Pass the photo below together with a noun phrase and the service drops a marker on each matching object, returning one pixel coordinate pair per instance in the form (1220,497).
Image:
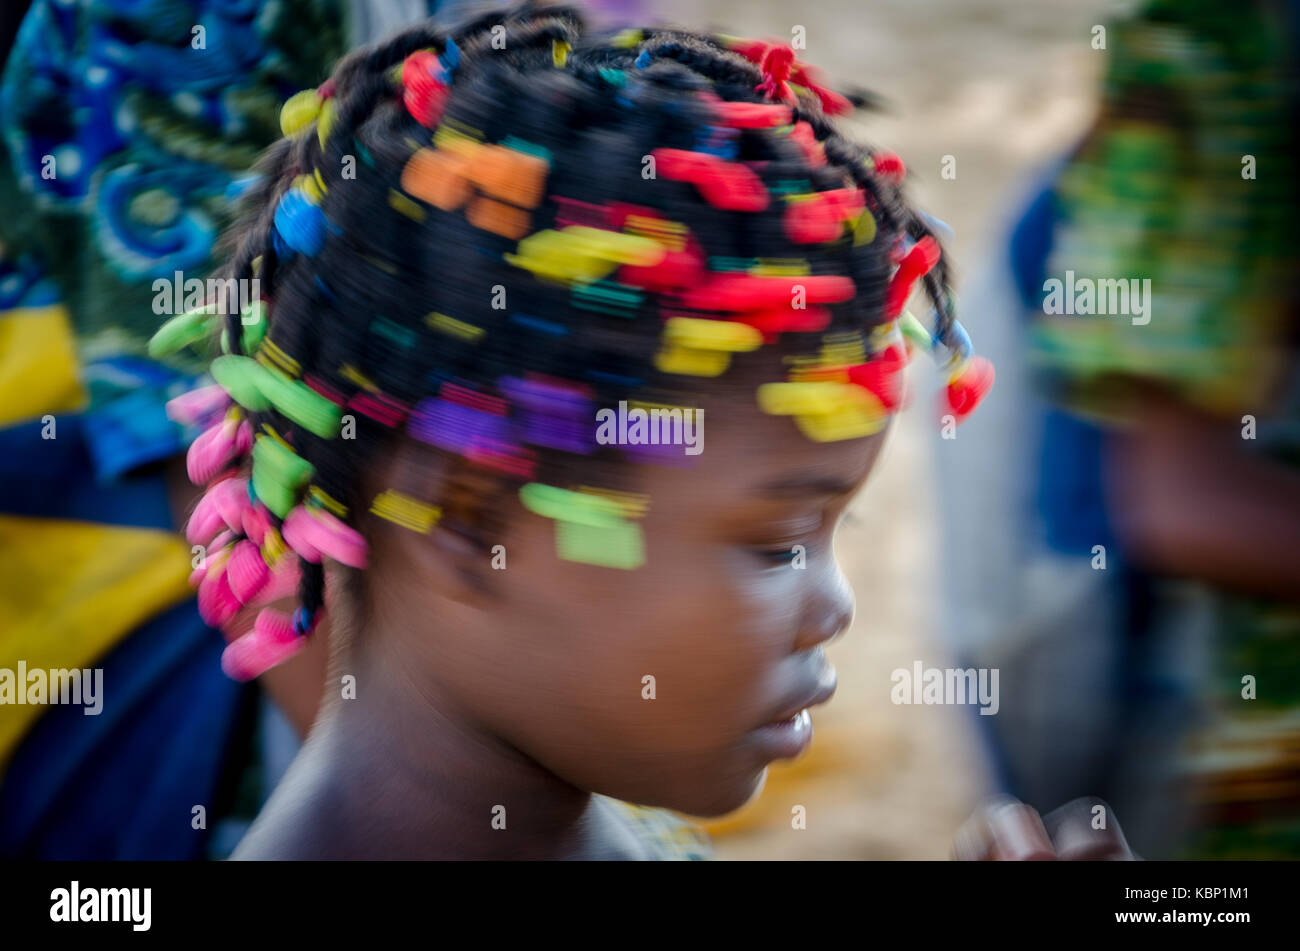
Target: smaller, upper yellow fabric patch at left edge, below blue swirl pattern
(38,364)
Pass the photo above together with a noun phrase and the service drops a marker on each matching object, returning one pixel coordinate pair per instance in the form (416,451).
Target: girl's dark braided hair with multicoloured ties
(400,235)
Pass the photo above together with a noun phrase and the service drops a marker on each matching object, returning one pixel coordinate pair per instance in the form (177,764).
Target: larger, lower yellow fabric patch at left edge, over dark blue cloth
(70,592)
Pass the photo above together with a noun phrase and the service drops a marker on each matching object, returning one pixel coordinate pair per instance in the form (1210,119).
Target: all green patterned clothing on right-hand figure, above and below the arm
(1189,180)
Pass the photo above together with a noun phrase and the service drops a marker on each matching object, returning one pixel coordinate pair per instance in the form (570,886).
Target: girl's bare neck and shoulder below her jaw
(397,774)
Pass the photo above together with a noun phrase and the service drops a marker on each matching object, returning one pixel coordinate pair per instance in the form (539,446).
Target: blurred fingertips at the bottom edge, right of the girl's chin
(1007,830)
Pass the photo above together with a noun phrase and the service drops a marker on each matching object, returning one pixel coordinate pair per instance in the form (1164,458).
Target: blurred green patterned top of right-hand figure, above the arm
(1188,181)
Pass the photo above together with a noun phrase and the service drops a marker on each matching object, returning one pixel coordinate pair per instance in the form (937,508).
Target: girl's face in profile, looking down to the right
(666,685)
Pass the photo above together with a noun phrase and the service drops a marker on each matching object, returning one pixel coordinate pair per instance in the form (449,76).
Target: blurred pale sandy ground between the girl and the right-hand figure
(1004,86)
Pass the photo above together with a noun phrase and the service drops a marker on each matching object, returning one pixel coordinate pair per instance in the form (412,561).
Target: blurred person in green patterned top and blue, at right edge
(1145,601)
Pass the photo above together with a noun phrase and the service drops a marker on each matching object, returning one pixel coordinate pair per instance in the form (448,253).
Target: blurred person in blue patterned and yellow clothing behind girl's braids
(128,131)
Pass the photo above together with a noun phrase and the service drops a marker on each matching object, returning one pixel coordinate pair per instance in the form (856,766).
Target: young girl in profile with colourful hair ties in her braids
(573,351)
